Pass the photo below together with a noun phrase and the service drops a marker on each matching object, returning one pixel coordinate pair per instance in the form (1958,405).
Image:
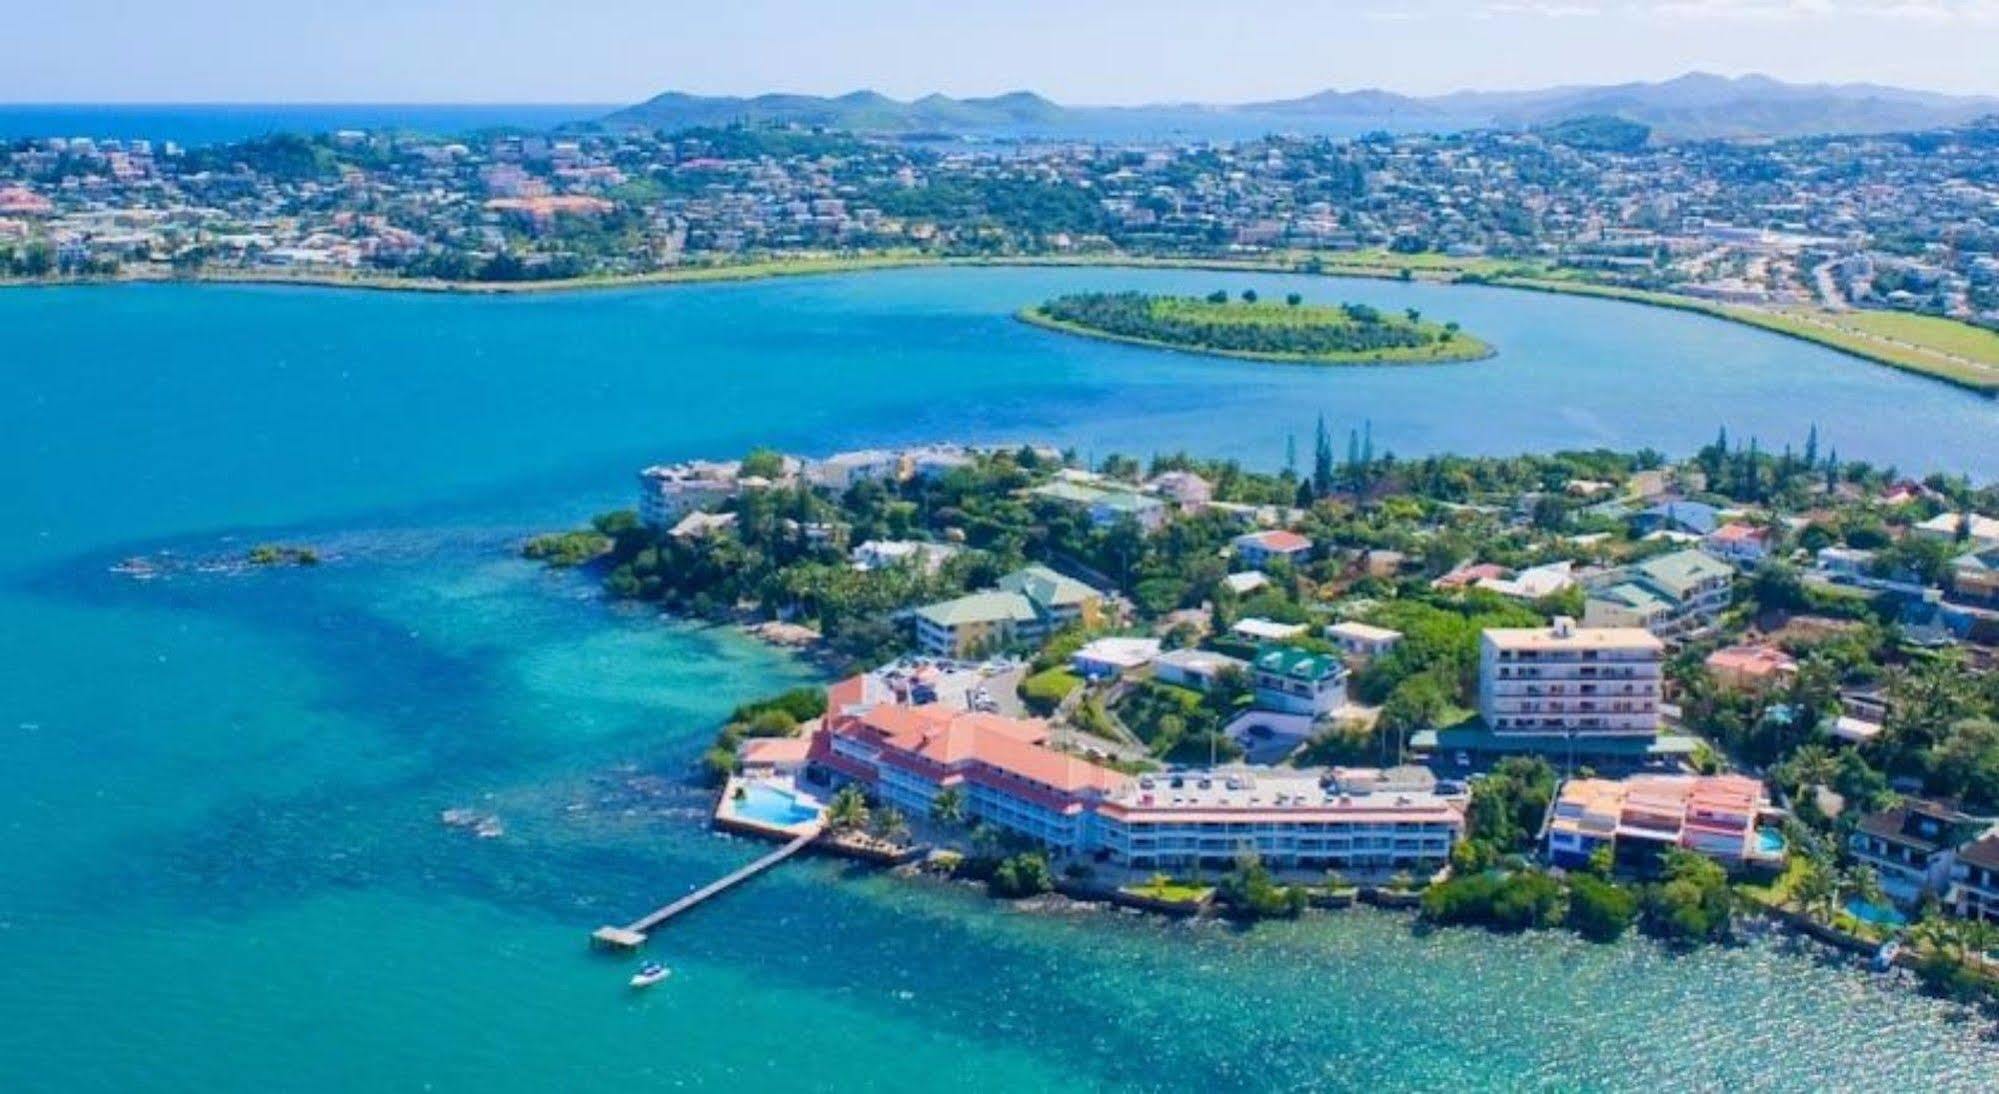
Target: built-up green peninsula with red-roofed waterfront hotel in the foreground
(1434,685)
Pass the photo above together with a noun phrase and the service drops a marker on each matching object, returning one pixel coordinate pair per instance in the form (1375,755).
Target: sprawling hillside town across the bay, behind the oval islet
(1892,221)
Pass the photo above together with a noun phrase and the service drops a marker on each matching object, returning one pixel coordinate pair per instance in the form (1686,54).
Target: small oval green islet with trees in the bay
(1246,327)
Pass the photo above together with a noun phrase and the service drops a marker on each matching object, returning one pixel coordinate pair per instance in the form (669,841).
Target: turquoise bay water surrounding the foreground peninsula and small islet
(225,867)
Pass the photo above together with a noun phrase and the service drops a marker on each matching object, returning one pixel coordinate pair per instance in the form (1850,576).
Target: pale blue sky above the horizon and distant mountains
(1074,51)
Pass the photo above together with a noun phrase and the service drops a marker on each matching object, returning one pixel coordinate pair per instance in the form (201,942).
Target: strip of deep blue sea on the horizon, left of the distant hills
(217,123)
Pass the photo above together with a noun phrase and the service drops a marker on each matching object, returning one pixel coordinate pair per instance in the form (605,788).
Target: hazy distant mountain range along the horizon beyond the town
(1684,109)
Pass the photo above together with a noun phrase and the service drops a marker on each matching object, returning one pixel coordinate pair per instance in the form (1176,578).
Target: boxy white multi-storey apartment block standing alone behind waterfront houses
(1570,683)
